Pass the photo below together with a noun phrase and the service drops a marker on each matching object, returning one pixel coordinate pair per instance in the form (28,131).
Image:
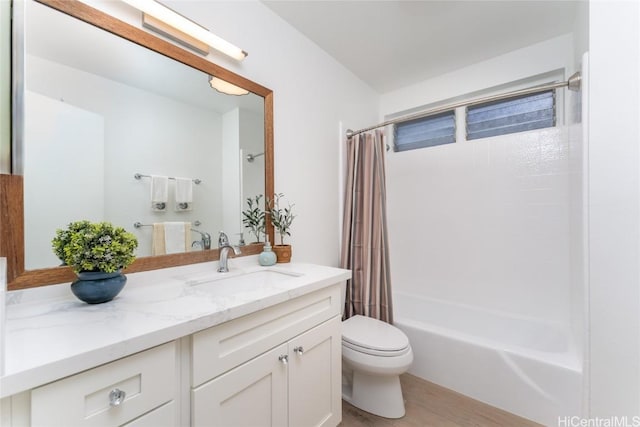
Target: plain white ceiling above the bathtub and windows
(392,44)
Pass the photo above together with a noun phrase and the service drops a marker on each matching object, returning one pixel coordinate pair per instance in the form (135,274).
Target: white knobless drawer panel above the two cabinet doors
(221,348)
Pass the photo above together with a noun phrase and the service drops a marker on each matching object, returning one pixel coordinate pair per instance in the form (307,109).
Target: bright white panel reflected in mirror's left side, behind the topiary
(64,172)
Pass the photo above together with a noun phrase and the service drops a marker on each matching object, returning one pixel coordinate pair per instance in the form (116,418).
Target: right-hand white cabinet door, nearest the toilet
(315,375)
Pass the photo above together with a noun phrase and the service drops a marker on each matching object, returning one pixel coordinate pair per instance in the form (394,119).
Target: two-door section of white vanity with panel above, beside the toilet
(280,366)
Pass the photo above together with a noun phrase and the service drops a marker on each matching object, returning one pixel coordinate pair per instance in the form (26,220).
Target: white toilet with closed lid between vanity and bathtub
(374,354)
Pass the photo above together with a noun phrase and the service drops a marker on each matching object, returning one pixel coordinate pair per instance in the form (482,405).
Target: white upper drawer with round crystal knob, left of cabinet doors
(148,379)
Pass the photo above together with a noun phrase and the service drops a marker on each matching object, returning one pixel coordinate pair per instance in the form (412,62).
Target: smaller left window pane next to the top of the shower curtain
(425,132)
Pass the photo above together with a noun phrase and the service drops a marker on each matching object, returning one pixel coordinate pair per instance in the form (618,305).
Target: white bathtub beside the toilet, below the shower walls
(525,367)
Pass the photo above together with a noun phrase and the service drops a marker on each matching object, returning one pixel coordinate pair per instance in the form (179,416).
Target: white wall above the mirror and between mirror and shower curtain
(312,94)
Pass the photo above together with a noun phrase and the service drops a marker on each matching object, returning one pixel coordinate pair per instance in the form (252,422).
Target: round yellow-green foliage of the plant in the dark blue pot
(87,246)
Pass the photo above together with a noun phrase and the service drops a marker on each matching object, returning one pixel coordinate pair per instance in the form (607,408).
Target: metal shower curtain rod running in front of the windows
(573,83)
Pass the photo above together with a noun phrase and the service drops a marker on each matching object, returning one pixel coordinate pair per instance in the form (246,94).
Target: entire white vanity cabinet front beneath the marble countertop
(276,363)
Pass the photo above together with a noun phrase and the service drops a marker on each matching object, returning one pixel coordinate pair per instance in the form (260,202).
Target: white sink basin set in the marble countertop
(229,283)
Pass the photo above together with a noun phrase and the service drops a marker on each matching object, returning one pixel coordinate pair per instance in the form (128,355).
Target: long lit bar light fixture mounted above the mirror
(183,25)
